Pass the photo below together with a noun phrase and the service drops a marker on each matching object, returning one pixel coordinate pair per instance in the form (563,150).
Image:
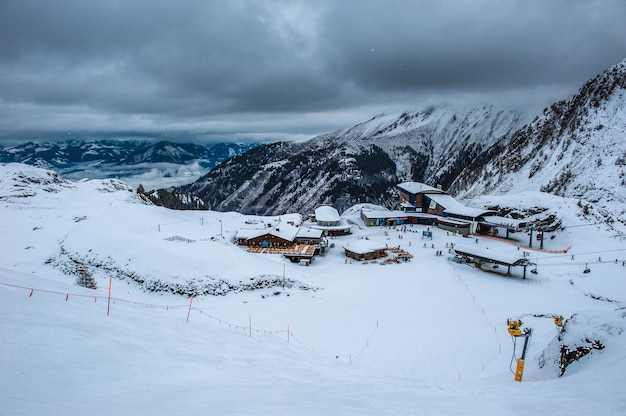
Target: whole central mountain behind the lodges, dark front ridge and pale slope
(362,163)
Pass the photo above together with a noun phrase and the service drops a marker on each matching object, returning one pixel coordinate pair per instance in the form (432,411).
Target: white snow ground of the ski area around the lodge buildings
(424,337)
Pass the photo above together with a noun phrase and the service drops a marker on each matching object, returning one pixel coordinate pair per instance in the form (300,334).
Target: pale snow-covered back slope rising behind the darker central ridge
(444,139)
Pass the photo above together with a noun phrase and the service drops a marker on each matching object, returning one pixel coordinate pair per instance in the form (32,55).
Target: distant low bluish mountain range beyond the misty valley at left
(153,164)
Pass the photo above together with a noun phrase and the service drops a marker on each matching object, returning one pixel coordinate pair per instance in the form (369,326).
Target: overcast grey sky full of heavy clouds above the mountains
(272,69)
